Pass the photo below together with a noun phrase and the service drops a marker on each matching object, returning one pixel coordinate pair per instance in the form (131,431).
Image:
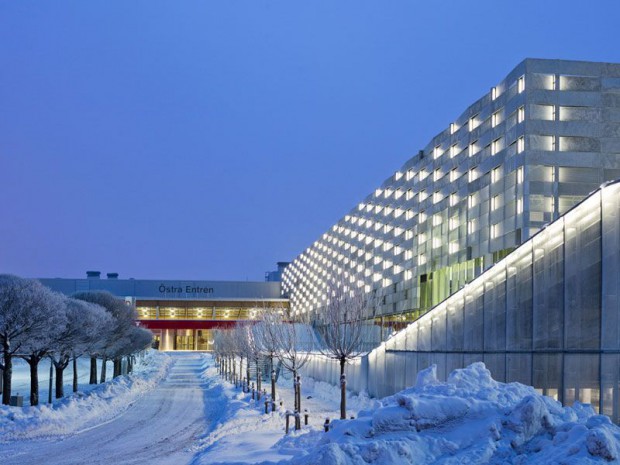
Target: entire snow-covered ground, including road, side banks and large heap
(175,410)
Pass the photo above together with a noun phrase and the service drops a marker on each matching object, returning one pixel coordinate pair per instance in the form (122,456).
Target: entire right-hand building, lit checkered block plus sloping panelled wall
(496,243)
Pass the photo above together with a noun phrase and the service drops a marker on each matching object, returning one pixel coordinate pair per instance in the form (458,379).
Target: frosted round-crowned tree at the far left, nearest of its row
(28,311)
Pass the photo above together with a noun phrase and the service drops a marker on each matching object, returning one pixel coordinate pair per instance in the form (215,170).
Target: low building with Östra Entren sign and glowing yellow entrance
(182,314)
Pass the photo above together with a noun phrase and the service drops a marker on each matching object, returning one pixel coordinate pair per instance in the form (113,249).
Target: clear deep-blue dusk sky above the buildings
(211,139)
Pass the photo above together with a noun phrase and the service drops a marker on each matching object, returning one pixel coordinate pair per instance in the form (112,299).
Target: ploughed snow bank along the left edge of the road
(81,411)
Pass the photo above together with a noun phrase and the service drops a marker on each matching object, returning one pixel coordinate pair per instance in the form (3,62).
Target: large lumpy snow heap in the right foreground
(470,419)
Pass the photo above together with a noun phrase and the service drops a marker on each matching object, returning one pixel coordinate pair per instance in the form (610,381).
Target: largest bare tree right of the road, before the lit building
(342,323)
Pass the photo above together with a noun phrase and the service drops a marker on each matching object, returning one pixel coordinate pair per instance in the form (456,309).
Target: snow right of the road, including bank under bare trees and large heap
(470,419)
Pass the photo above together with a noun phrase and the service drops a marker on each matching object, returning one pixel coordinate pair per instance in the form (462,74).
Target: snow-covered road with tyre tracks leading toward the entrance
(157,429)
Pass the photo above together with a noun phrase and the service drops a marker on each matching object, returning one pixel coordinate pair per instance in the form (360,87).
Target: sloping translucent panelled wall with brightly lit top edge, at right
(547,315)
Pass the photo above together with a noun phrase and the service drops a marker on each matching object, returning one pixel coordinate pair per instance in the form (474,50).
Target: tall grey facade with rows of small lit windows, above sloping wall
(519,157)
